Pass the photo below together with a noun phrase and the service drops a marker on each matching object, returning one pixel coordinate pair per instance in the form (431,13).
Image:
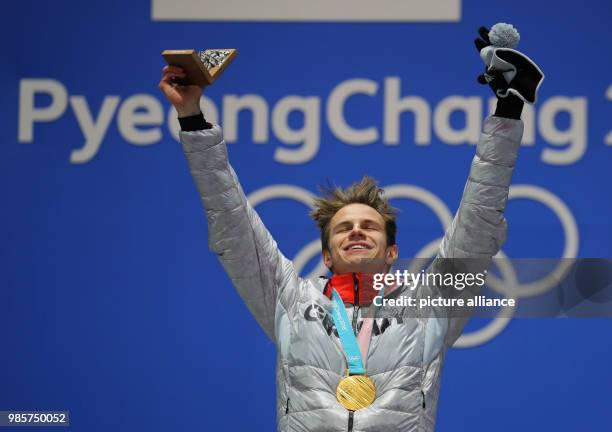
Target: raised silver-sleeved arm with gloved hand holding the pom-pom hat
(479,227)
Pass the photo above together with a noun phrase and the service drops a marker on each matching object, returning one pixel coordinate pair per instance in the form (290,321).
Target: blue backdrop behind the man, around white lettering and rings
(111,305)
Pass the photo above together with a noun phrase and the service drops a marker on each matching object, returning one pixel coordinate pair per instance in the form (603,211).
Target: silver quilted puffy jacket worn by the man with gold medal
(406,355)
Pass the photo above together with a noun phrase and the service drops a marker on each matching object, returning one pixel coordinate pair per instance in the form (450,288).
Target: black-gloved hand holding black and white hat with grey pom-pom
(507,71)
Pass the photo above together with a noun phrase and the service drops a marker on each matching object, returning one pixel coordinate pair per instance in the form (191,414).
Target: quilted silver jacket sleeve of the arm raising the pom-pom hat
(479,227)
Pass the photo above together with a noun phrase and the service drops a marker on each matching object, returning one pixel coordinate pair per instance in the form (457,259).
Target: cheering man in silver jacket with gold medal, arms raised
(316,323)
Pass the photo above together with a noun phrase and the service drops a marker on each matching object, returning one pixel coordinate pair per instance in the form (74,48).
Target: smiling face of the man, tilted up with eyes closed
(356,236)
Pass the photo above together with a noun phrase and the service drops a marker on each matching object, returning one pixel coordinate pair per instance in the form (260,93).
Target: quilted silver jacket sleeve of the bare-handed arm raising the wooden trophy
(247,251)
